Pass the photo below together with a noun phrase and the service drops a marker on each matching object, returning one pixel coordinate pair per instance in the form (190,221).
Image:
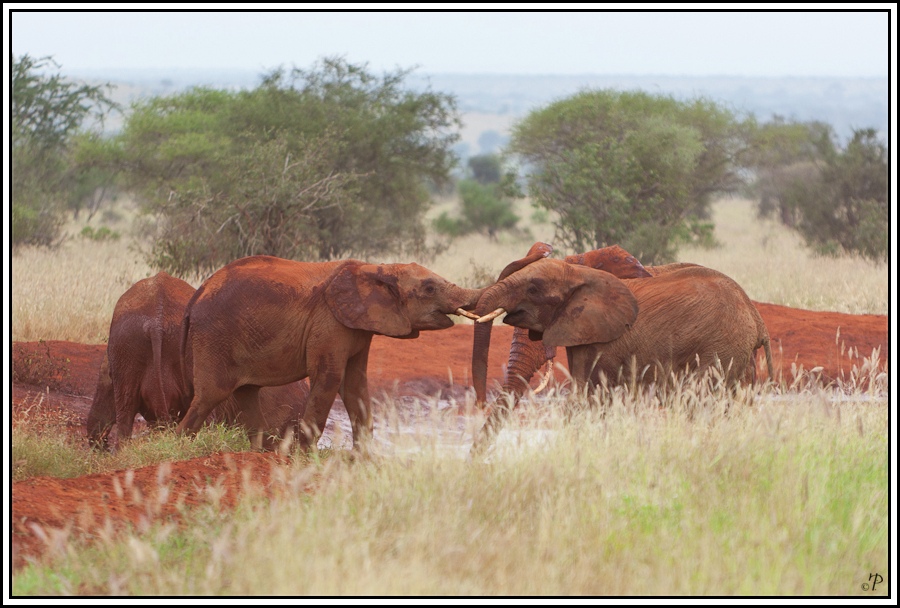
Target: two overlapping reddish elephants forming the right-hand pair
(645,322)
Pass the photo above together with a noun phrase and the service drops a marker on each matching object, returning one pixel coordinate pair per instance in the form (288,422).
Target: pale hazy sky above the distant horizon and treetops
(688,43)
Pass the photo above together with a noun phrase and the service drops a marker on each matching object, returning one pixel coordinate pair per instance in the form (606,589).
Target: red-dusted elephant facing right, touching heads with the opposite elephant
(264,321)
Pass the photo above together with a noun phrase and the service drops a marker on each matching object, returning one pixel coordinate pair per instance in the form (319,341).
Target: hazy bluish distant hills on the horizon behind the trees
(492,103)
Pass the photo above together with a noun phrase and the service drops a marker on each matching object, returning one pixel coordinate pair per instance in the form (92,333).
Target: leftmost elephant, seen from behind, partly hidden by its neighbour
(141,372)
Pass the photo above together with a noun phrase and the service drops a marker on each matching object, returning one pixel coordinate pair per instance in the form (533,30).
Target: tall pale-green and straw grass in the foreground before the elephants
(772,499)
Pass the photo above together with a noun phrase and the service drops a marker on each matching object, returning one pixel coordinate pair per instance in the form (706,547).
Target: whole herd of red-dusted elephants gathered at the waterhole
(268,343)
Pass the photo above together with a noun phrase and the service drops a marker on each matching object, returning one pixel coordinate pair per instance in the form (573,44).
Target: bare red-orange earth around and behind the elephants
(436,363)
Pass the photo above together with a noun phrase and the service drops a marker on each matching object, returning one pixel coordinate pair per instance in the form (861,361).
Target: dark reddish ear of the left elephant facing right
(365,296)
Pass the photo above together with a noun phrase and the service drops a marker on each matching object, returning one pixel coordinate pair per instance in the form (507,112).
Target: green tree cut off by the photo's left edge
(48,113)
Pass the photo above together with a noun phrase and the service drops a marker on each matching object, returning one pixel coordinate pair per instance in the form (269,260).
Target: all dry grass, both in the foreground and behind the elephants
(704,496)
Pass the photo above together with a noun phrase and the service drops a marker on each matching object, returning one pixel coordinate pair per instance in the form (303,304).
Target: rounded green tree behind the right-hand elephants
(628,168)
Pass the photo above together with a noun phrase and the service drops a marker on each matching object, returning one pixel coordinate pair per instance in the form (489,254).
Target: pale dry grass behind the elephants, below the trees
(70,294)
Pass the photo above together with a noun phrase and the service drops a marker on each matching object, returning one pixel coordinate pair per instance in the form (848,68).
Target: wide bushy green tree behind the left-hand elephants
(323,163)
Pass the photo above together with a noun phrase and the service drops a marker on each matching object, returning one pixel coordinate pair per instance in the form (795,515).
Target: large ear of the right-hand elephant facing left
(600,309)
